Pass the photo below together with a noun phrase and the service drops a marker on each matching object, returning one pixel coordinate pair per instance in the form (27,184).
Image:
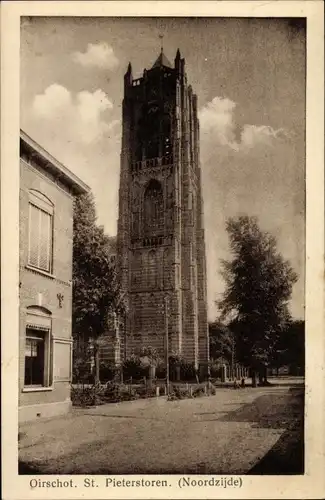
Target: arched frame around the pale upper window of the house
(43,204)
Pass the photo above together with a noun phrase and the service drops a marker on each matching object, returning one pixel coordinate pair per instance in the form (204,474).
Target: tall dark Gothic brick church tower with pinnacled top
(160,245)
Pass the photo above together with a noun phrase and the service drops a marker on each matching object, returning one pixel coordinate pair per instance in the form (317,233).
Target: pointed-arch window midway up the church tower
(153,209)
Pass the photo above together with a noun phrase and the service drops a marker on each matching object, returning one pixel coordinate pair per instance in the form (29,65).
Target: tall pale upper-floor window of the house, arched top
(40,232)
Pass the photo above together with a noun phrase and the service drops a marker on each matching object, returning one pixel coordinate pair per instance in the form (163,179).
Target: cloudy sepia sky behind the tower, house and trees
(249,75)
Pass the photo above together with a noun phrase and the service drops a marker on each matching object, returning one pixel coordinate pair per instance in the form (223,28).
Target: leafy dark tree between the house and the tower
(96,291)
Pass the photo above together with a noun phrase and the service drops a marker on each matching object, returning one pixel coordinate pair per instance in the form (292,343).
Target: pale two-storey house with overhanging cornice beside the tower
(46,195)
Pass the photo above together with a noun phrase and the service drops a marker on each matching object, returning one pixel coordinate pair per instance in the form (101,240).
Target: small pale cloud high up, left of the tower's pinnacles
(99,55)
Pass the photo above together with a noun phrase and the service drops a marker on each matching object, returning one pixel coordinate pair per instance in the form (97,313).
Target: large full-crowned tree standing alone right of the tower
(258,288)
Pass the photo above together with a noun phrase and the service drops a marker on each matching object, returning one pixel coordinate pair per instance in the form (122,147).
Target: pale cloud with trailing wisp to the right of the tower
(218,125)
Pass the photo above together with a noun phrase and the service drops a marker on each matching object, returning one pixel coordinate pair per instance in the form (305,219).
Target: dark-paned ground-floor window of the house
(36,357)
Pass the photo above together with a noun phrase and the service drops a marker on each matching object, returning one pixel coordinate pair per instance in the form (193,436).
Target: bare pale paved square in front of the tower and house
(227,433)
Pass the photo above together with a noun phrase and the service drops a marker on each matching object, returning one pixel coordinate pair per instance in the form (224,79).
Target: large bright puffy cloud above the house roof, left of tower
(77,116)
